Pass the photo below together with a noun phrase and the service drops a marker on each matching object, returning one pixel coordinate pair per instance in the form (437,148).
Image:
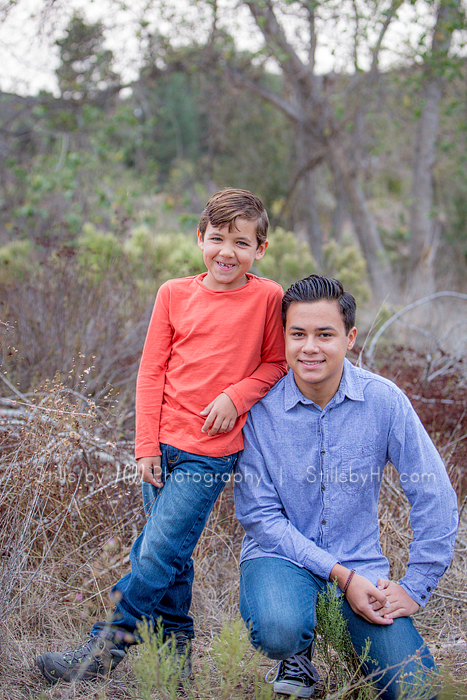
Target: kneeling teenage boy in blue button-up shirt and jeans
(306,492)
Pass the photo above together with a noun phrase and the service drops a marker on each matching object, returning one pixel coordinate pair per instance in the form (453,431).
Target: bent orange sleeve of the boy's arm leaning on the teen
(273,366)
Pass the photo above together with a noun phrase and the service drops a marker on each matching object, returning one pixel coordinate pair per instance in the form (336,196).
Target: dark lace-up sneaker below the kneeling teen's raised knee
(296,675)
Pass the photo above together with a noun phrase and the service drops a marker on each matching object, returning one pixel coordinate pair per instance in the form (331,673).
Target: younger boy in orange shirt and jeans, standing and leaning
(214,347)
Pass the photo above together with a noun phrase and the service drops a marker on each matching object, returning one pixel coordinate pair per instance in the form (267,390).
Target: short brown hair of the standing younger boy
(229,204)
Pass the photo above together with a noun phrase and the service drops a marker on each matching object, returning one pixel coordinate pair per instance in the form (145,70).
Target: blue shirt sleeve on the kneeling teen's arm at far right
(433,515)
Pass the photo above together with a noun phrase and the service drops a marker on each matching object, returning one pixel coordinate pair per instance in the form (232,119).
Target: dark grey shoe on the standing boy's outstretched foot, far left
(94,658)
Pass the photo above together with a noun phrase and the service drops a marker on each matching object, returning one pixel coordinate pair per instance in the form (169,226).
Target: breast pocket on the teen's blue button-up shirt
(360,470)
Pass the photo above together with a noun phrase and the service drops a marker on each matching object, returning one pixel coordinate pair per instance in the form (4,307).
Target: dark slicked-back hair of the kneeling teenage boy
(315,288)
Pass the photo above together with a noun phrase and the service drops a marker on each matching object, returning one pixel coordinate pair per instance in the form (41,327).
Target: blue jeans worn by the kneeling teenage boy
(278,604)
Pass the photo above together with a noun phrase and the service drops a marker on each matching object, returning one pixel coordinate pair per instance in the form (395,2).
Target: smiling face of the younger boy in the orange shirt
(228,255)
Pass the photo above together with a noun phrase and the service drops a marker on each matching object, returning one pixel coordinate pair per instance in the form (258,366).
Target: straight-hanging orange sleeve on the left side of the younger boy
(151,378)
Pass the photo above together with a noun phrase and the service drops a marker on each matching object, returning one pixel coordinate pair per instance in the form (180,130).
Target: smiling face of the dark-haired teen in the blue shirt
(315,346)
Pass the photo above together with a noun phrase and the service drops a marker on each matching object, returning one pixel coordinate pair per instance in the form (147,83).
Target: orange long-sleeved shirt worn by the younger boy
(200,343)
